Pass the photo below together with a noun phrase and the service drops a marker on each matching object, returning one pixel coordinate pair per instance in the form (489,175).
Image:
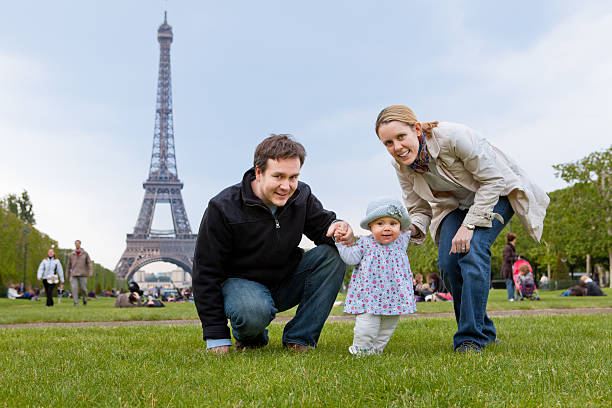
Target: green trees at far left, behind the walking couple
(23,247)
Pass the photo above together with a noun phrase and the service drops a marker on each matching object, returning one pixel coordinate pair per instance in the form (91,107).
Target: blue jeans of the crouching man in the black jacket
(313,286)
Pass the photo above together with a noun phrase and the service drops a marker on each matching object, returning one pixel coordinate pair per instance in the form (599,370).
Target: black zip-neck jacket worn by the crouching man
(239,237)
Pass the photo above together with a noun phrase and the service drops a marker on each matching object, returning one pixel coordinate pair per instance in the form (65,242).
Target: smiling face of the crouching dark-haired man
(278,182)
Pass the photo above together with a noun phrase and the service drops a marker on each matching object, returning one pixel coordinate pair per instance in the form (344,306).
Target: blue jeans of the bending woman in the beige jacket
(468,275)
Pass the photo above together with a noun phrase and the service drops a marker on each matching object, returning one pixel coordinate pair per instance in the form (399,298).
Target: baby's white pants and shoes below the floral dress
(372,333)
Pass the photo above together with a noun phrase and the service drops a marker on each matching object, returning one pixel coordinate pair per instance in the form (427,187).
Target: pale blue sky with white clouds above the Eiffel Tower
(78,81)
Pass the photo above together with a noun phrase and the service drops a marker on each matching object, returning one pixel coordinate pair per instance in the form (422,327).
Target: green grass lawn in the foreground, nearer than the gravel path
(545,361)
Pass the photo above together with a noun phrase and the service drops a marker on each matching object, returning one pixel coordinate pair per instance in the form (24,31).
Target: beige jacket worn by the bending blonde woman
(466,158)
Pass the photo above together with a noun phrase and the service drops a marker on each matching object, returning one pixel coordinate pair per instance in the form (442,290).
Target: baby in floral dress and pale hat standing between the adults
(380,290)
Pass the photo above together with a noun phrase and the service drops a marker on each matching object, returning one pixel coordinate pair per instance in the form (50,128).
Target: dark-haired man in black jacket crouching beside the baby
(248,265)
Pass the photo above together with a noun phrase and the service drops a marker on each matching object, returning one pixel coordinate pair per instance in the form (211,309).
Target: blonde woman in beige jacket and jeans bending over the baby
(454,182)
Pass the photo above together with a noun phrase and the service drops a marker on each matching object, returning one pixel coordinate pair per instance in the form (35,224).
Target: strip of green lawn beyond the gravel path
(23,311)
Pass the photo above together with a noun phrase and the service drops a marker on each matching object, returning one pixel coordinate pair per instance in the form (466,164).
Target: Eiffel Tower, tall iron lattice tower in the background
(147,245)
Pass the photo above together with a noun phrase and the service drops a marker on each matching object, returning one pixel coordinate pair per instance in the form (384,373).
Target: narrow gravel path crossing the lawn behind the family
(282,319)
